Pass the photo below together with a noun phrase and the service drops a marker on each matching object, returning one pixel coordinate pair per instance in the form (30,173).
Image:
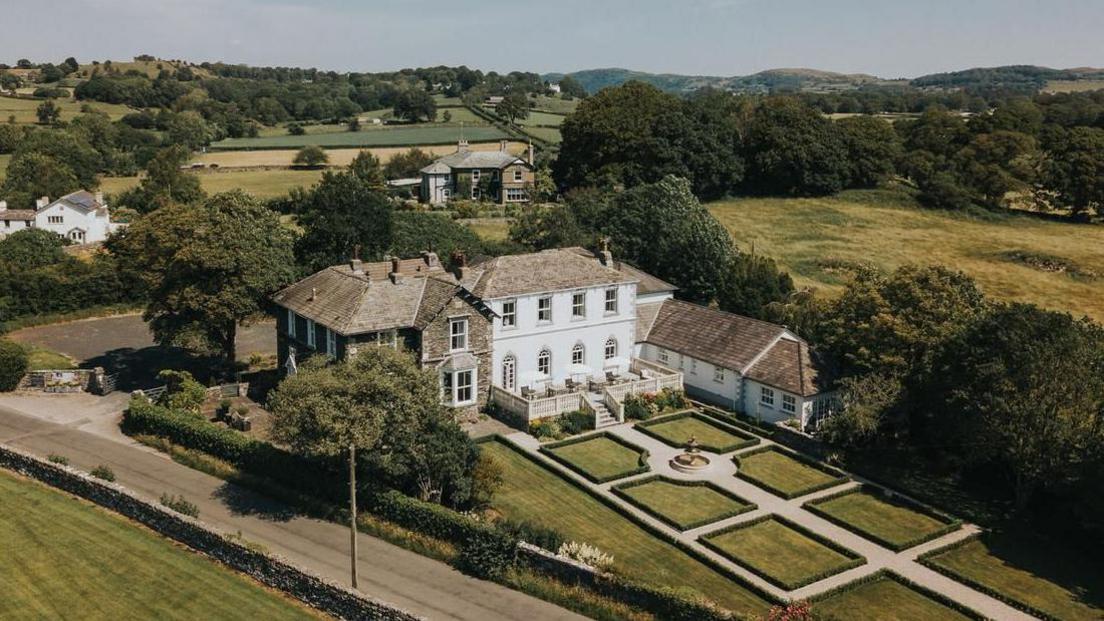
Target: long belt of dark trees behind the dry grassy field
(1047,152)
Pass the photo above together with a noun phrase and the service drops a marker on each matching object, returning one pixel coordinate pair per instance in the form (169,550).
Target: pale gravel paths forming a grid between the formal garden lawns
(723,473)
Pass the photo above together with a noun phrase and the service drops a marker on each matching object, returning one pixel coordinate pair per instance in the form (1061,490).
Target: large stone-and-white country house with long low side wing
(551,332)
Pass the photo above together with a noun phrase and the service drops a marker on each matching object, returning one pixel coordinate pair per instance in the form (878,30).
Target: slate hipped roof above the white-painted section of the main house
(546,271)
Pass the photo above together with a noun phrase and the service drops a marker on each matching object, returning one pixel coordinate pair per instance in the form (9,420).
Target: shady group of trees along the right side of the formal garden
(933,373)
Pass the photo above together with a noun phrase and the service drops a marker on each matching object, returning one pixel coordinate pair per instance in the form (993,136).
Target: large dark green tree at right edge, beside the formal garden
(1023,388)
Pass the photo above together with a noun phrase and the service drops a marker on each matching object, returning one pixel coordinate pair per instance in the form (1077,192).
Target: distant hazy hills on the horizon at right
(1020,78)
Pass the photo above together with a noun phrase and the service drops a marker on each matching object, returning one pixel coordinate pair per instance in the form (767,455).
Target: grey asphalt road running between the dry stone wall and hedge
(84,430)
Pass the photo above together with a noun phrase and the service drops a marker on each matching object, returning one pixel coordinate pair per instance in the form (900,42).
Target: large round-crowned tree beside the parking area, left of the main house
(209,268)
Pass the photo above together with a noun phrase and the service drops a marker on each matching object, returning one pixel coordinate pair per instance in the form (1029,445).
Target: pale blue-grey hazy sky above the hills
(886,38)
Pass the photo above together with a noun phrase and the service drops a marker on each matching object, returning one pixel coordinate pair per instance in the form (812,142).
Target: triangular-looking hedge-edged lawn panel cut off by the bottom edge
(885,601)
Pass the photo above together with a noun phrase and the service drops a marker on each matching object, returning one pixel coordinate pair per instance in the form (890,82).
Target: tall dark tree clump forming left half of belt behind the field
(723,144)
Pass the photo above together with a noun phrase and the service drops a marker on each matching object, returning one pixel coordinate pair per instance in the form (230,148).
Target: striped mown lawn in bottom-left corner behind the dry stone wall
(65,559)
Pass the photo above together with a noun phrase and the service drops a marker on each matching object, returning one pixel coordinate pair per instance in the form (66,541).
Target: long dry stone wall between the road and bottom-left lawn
(269,570)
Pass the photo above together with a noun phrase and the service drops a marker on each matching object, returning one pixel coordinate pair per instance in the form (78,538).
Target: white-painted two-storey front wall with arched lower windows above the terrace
(559,338)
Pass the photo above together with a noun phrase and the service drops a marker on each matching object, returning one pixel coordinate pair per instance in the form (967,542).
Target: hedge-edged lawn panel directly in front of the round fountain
(682,504)
